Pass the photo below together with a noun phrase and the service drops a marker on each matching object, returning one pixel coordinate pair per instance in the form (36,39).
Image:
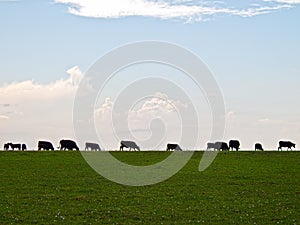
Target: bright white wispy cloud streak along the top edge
(187,10)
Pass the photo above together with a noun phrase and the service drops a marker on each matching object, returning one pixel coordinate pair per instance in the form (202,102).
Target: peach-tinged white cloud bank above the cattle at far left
(32,110)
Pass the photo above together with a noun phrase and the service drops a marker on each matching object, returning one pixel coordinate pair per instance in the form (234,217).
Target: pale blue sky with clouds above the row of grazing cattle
(252,49)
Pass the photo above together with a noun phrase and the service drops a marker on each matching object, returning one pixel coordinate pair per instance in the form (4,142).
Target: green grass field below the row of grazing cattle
(238,188)
